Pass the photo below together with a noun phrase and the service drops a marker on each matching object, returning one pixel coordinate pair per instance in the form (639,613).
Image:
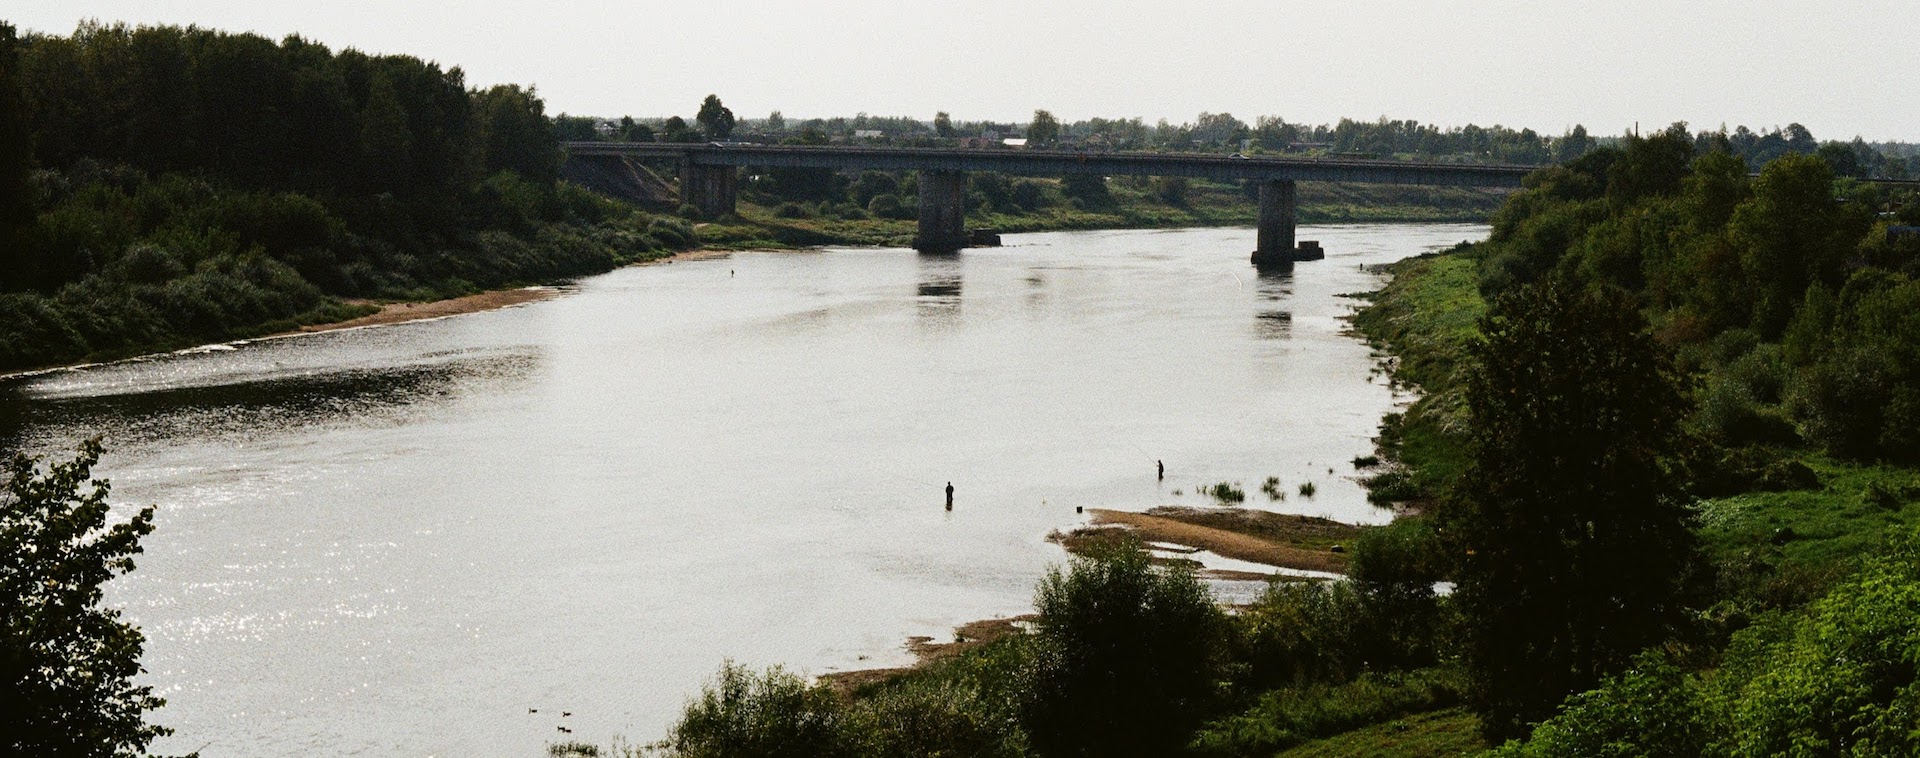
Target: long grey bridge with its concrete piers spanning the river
(709,178)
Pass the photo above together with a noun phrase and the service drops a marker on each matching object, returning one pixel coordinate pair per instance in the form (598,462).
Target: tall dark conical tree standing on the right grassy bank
(1575,546)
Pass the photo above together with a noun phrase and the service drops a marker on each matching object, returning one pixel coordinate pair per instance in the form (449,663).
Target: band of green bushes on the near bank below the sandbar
(1126,659)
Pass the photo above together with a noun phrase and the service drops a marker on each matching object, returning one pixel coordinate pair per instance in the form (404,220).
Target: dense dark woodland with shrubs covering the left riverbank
(168,185)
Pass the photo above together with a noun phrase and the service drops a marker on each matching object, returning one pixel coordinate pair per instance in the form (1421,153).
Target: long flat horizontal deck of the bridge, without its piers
(1065,162)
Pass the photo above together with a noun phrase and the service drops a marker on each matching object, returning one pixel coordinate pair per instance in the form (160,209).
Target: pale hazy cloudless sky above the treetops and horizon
(1838,68)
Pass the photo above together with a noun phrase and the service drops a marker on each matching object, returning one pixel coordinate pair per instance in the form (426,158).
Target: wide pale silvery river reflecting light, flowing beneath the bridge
(404,540)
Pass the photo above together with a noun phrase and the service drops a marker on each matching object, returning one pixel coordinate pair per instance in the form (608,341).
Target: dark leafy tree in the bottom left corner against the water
(68,663)
